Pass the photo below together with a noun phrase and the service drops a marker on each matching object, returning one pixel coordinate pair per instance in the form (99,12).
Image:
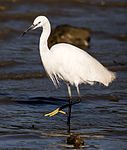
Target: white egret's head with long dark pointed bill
(38,22)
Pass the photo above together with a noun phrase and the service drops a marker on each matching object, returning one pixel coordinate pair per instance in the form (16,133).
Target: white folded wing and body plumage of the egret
(77,66)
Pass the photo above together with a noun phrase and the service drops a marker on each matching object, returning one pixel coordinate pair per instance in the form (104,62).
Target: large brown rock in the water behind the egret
(79,37)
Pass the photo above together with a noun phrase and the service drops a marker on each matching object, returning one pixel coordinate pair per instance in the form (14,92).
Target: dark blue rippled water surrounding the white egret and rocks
(101,118)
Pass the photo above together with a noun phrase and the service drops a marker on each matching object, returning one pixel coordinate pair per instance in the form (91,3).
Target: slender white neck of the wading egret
(44,36)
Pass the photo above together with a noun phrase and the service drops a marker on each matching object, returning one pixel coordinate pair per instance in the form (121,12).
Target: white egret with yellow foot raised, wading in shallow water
(68,63)
